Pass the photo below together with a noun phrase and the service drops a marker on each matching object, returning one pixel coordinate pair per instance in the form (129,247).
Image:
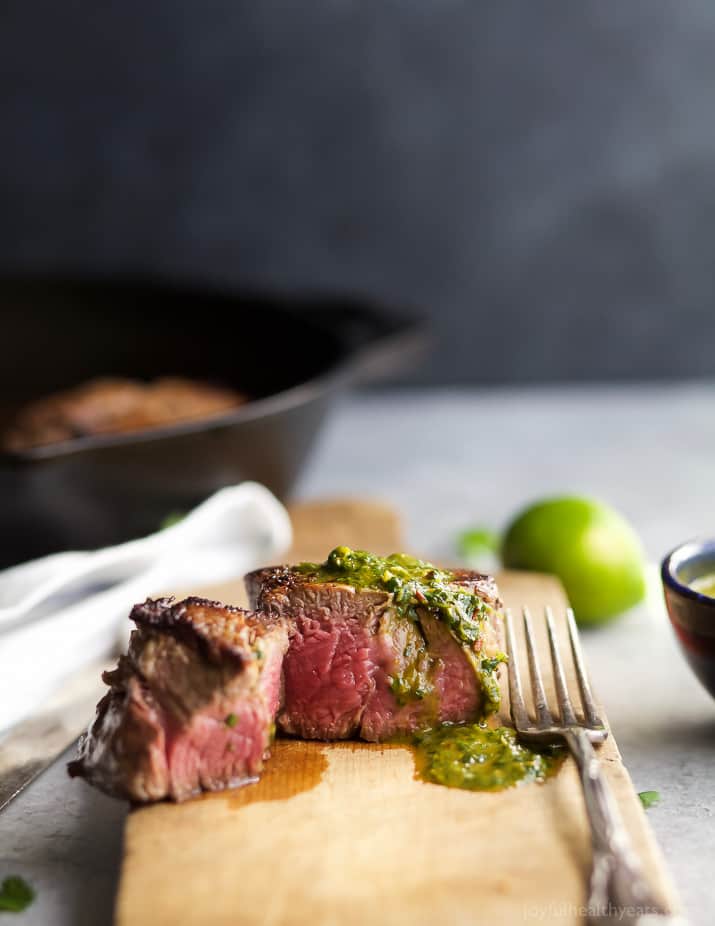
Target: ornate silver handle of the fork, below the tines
(618,890)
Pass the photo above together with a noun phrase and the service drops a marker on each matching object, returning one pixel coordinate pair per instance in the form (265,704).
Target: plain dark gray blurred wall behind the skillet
(537,176)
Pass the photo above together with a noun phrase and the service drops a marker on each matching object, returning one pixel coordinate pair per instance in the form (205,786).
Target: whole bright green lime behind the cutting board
(588,545)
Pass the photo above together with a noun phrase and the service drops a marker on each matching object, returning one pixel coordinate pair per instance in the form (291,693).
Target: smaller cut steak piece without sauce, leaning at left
(191,706)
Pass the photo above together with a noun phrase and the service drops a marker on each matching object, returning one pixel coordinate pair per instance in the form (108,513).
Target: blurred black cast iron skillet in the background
(292,356)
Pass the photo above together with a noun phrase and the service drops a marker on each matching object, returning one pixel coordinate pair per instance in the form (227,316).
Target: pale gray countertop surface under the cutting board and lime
(449,460)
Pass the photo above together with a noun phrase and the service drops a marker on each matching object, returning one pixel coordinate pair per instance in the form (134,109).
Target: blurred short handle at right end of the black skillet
(375,344)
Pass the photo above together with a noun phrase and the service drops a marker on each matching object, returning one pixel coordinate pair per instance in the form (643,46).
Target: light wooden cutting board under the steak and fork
(345,833)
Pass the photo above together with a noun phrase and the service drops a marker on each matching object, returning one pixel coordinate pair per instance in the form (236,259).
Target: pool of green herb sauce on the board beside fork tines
(481,758)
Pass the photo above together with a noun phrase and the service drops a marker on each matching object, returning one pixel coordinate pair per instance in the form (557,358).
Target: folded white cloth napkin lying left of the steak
(54,621)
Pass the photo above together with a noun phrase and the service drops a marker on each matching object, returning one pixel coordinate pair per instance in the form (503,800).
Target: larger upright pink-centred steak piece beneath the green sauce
(356,666)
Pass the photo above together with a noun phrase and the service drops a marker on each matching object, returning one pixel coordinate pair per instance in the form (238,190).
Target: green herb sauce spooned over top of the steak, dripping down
(418,586)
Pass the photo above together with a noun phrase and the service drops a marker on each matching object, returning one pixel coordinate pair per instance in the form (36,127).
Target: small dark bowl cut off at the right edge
(692,614)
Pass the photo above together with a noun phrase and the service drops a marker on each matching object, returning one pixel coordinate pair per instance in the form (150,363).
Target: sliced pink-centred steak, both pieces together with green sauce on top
(356,646)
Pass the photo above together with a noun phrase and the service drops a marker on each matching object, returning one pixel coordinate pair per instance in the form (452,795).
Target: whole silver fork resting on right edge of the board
(618,888)
